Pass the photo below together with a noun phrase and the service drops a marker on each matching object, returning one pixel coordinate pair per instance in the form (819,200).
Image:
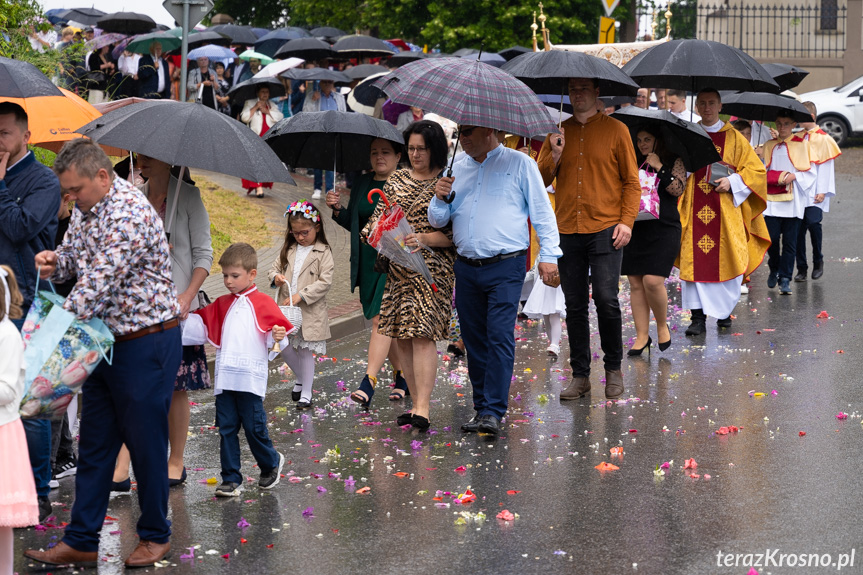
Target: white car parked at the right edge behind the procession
(840,109)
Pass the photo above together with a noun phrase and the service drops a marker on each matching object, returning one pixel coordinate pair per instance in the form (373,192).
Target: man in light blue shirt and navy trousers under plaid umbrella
(496,190)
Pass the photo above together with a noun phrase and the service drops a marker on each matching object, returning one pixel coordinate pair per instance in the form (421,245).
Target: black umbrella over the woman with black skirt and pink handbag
(684,139)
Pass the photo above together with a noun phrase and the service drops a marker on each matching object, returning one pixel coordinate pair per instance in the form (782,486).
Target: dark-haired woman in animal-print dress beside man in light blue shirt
(411,311)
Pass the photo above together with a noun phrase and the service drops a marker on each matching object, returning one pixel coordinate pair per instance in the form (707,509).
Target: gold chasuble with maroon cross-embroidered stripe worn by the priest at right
(720,241)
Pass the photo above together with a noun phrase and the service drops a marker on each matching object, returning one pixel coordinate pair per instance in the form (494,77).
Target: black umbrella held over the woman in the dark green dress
(330,140)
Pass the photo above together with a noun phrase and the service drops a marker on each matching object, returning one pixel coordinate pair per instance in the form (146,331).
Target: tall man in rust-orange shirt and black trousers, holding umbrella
(597,198)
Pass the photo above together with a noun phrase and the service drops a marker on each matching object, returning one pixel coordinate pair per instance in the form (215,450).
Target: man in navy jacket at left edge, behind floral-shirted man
(29,202)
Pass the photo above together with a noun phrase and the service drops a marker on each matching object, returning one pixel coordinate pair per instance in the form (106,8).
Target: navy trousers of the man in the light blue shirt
(487,303)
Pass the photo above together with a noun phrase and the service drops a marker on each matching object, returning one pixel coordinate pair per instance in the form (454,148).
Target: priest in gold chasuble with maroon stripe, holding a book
(724,235)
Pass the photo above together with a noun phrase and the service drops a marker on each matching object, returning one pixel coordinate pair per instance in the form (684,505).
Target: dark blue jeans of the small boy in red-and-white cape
(236,408)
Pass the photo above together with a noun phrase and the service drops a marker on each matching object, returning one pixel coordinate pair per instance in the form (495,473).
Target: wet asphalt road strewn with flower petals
(778,373)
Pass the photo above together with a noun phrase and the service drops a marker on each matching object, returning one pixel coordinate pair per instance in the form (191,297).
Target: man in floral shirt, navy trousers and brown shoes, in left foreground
(116,247)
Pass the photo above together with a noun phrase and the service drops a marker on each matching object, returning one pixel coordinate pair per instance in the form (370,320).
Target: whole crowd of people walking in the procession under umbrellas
(565,213)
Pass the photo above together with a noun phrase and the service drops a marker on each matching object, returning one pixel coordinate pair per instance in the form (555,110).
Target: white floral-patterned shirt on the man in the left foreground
(119,253)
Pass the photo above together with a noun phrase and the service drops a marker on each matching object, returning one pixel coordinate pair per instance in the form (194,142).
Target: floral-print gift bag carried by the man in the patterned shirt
(61,352)
